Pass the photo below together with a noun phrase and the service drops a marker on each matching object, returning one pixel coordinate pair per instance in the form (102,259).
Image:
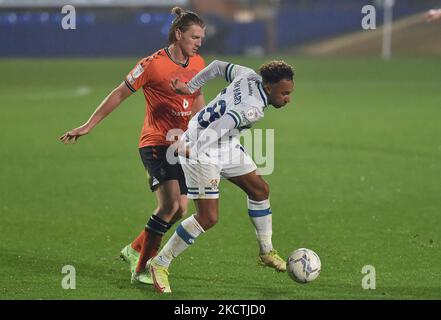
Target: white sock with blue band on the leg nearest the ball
(262,218)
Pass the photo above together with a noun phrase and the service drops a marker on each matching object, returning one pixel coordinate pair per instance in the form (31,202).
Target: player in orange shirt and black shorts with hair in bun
(165,110)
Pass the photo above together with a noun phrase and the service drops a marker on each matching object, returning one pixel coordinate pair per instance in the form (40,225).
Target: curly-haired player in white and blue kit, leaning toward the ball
(213,133)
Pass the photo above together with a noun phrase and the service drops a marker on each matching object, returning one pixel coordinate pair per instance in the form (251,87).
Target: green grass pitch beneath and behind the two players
(357,179)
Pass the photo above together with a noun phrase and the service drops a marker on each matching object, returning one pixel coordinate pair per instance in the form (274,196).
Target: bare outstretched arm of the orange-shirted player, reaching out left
(110,103)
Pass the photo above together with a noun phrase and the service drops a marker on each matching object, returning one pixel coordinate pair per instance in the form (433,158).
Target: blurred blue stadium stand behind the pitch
(134,27)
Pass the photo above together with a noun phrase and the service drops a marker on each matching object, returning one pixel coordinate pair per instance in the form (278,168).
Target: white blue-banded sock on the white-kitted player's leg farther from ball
(184,236)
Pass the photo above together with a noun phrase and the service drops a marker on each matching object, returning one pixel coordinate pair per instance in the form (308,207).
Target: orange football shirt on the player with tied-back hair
(165,109)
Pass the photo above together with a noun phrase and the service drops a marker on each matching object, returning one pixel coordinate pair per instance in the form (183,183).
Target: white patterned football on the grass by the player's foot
(303,265)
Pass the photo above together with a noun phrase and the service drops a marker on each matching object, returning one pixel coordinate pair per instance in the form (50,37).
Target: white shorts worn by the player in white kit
(226,160)
